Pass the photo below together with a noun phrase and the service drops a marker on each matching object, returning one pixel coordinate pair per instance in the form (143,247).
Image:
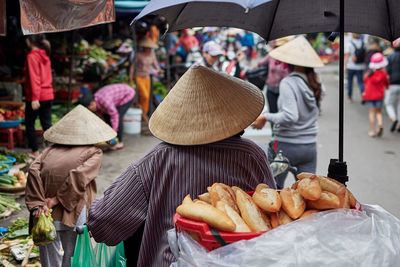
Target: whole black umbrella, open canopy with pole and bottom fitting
(272,19)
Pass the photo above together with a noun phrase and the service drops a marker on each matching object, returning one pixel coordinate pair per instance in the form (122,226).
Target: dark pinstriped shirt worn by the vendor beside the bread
(151,189)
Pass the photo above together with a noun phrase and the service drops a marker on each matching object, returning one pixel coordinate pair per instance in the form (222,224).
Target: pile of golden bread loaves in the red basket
(231,209)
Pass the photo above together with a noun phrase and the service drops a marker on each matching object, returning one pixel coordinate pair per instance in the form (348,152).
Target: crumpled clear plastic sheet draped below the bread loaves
(333,238)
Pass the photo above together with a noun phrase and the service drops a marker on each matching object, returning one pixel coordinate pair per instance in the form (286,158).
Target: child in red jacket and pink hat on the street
(376,80)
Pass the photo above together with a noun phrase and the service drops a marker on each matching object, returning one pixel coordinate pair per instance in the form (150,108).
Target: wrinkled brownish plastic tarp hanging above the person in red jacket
(38,16)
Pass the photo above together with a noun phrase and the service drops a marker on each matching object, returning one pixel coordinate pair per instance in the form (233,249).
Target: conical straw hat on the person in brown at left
(80,126)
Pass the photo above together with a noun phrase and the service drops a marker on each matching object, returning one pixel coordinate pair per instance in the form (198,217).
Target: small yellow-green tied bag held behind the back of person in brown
(44,232)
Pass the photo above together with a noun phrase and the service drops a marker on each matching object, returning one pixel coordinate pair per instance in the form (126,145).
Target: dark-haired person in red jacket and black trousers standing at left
(39,93)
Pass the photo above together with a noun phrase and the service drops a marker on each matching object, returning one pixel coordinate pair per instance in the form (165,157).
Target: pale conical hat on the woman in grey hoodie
(297,52)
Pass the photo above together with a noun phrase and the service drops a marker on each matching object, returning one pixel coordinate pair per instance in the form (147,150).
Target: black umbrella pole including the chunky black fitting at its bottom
(337,167)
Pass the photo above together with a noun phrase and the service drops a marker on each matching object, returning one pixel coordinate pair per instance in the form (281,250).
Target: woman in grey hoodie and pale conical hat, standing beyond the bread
(295,124)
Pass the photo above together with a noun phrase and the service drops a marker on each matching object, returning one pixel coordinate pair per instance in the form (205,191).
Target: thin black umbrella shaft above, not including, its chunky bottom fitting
(341,82)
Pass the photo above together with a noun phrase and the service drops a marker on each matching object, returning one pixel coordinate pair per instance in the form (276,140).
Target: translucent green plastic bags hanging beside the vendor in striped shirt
(99,256)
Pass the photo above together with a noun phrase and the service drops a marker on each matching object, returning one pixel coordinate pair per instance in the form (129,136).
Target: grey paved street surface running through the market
(374,164)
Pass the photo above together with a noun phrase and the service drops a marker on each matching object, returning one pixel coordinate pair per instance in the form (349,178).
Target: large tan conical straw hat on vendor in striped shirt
(206,106)
